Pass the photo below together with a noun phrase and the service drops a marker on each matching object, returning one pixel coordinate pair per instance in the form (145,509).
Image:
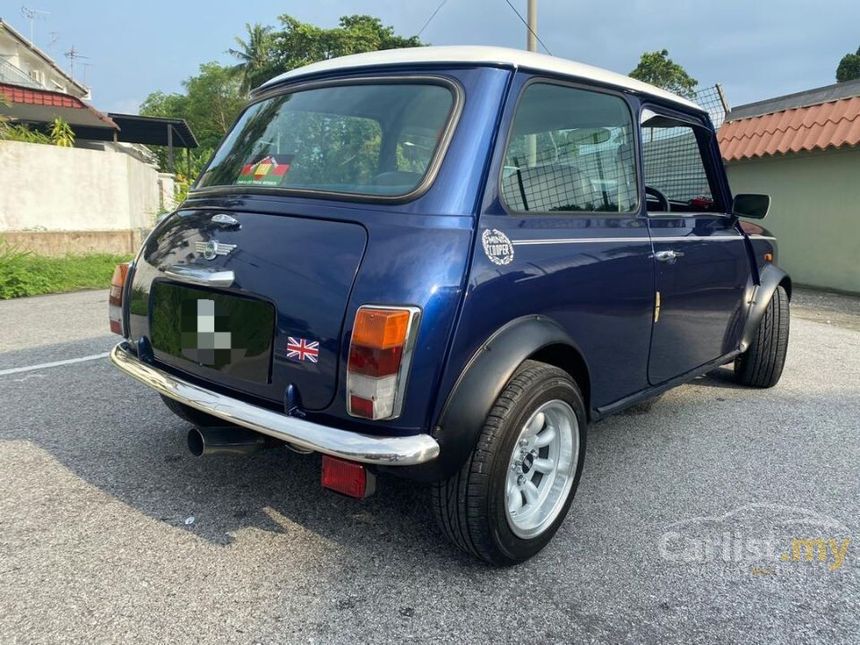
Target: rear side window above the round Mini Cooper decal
(570,150)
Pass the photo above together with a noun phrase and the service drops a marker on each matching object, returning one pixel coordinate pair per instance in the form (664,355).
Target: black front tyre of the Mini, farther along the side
(761,364)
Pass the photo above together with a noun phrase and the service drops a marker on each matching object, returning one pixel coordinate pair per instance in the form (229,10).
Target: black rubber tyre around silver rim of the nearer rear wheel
(470,506)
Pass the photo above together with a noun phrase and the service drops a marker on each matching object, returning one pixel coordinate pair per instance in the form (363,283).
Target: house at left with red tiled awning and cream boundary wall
(101,194)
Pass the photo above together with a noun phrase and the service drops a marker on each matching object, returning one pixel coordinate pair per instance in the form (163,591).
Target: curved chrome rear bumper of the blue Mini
(390,451)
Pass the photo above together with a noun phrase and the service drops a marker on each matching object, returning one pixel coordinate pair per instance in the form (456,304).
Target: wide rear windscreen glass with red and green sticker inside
(370,139)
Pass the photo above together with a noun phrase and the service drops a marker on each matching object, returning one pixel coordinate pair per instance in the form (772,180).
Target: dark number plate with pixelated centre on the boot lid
(230,334)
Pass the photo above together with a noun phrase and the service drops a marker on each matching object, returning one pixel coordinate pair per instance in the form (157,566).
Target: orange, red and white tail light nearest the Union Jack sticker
(379,357)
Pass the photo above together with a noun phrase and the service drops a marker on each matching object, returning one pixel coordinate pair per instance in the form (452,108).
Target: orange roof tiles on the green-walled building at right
(826,125)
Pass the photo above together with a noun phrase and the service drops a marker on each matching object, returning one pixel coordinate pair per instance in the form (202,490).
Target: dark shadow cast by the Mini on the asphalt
(134,449)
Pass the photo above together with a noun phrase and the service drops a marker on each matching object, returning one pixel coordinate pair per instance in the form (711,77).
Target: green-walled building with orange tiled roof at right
(804,150)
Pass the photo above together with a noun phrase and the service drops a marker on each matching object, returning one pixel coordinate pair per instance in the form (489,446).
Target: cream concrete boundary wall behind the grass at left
(99,195)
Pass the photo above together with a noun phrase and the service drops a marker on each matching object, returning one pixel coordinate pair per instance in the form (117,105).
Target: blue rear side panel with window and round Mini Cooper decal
(563,235)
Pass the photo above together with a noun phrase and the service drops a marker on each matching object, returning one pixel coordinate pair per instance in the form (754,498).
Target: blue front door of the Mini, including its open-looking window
(700,258)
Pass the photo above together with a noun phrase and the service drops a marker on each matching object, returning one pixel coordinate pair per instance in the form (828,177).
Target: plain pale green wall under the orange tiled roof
(815,212)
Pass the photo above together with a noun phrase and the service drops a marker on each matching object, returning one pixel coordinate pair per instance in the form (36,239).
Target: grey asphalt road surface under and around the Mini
(682,528)
